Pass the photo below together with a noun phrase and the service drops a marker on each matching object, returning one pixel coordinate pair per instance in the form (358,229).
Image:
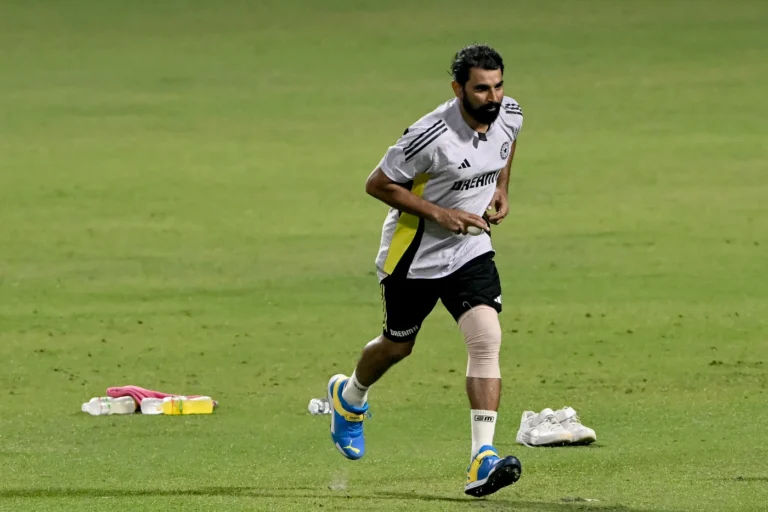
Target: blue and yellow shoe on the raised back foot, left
(346,420)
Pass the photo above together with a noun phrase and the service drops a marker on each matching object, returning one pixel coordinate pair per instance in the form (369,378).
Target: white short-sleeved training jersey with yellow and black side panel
(441,159)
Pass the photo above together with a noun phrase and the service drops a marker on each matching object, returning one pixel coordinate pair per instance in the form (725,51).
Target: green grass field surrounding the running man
(182,207)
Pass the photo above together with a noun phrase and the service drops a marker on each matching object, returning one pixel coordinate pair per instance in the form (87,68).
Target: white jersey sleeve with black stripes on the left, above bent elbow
(412,153)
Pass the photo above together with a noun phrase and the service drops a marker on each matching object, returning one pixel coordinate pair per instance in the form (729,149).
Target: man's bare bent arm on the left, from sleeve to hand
(395,195)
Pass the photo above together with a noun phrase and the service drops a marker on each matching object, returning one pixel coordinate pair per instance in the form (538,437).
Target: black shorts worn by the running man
(407,302)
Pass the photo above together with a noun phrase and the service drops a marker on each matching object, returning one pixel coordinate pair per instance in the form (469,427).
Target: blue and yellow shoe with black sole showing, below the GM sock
(487,473)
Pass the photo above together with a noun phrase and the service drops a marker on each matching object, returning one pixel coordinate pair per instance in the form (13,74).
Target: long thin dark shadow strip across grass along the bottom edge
(495,502)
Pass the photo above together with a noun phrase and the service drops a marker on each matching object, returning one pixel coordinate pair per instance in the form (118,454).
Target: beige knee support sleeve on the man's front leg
(482,334)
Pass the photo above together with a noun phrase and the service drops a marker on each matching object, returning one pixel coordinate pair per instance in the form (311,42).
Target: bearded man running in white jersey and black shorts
(446,181)
